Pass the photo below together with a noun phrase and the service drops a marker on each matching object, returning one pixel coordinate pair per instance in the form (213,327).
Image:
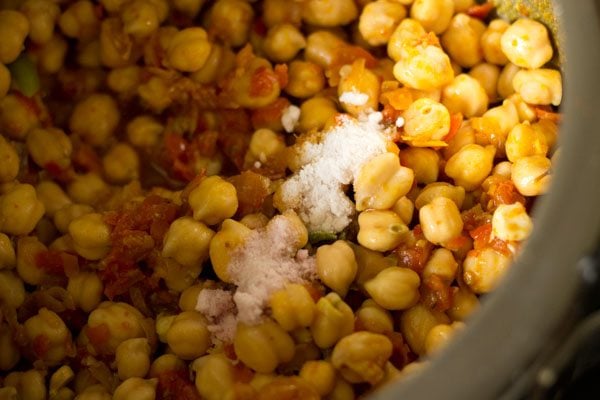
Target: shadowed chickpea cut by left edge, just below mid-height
(20,210)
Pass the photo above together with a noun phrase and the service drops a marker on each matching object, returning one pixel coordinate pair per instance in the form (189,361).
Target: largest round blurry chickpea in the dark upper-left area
(95,119)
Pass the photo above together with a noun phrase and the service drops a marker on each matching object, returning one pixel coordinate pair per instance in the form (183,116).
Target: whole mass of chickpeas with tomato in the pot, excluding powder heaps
(143,140)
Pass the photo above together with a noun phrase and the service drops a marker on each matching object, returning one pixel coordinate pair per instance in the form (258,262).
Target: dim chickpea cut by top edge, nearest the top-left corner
(42,16)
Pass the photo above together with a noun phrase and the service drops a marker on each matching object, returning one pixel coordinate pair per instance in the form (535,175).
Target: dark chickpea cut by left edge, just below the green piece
(16,118)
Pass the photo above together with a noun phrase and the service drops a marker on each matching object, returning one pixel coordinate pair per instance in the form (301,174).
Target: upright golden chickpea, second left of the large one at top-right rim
(462,40)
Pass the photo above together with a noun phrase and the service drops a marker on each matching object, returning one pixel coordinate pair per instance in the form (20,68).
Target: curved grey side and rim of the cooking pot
(532,326)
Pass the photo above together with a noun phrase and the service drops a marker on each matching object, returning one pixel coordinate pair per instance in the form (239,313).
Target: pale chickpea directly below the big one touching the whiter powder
(380,230)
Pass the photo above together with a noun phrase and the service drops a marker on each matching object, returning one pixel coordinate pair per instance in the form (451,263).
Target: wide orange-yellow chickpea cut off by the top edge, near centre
(329,12)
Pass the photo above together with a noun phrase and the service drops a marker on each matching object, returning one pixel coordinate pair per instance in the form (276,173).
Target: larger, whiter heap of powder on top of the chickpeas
(316,191)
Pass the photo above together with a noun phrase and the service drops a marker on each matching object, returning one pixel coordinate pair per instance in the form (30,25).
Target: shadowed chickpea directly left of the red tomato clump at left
(91,236)
